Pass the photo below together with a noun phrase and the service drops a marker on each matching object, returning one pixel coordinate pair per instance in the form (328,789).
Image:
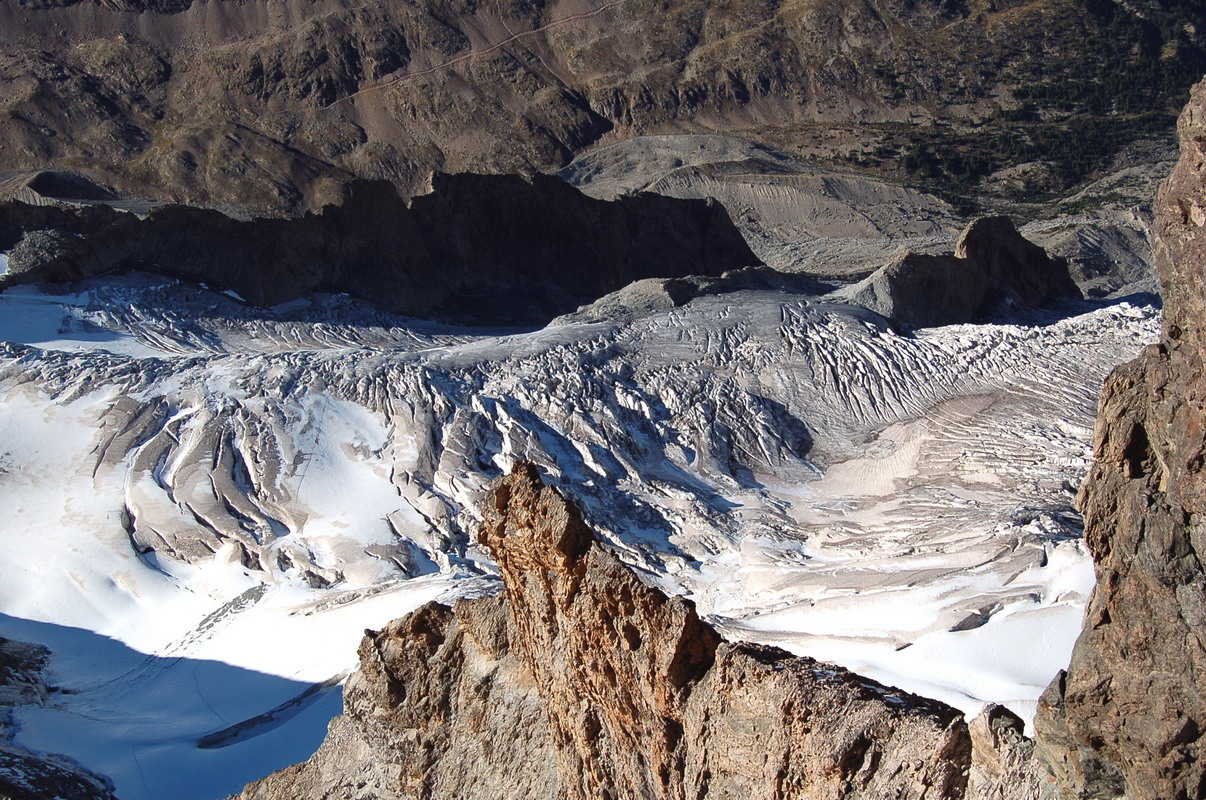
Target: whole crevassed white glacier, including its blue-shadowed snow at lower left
(209,504)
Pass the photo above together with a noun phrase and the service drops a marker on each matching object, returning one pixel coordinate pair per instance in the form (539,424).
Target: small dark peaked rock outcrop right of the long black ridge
(993,266)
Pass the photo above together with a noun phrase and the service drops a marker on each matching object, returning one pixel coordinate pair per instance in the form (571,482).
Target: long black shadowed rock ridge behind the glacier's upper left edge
(482,249)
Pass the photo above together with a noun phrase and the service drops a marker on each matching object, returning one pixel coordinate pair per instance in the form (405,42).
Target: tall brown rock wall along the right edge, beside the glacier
(1128,717)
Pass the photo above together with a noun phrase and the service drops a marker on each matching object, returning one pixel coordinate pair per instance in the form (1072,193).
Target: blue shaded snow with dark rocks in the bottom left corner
(203,732)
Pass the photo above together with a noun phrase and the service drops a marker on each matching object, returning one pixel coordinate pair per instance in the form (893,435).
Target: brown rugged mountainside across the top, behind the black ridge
(277,107)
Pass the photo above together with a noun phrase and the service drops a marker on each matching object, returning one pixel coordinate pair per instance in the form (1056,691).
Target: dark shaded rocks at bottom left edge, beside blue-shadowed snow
(34,776)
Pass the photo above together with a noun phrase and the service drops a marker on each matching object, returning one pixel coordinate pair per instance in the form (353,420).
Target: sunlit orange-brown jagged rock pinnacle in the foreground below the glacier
(581,682)
